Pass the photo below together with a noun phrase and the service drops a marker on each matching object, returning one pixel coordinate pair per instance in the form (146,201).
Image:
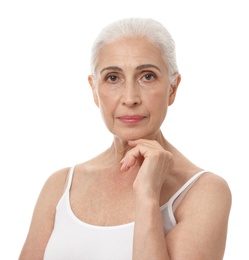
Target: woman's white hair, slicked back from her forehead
(149,28)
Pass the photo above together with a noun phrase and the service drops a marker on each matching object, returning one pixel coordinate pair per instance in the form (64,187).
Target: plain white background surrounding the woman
(49,121)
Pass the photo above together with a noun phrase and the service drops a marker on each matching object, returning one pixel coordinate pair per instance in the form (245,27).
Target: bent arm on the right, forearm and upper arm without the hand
(201,229)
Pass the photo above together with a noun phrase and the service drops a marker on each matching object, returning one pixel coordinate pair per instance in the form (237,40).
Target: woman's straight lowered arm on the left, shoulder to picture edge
(42,222)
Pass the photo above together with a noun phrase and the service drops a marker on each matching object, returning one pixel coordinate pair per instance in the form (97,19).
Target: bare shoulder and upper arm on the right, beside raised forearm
(202,220)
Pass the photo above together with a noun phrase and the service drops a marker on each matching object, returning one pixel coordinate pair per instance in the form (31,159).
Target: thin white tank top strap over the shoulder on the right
(178,196)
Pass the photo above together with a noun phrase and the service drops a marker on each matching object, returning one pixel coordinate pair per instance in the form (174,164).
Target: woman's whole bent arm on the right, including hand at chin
(202,216)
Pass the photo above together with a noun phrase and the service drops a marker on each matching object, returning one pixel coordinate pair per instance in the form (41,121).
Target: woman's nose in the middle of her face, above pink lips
(131,95)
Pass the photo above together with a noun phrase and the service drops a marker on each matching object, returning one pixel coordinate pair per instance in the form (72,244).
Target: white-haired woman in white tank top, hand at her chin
(141,198)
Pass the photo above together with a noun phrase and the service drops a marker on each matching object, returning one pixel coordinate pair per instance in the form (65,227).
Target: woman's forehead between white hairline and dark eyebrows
(130,52)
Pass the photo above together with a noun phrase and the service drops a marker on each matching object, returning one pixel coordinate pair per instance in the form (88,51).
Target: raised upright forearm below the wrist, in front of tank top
(149,241)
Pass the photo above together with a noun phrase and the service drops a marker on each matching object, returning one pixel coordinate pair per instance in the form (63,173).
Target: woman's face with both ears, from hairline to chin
(132,89)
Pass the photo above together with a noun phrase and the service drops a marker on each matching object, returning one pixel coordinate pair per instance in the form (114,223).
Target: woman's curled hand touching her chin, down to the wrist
(155,162)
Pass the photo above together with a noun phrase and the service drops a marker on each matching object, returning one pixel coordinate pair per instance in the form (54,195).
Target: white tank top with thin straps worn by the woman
(73,239)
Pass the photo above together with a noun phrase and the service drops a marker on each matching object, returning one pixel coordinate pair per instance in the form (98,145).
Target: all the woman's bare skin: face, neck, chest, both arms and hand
(141,169)
